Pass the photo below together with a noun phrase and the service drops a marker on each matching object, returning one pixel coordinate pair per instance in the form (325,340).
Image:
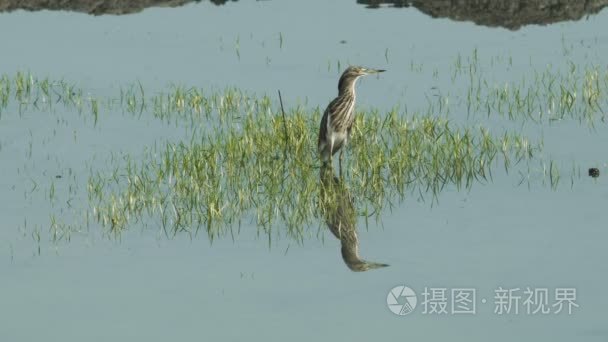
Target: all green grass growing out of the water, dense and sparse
(243,162)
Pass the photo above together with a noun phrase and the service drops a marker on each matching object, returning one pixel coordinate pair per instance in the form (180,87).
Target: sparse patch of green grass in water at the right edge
(548,95)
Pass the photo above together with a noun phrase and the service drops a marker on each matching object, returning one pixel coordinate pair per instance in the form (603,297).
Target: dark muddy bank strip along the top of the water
(510,14)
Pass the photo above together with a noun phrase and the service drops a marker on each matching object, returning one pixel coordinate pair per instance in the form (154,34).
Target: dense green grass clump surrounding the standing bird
(245,169)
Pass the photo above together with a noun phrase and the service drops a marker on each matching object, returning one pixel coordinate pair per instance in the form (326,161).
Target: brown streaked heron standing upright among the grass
(339,116)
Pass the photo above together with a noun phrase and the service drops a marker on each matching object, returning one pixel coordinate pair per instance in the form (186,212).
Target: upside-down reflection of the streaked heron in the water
(340,216)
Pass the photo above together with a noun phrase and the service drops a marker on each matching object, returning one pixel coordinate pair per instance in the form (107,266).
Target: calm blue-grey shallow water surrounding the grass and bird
(148,287)
